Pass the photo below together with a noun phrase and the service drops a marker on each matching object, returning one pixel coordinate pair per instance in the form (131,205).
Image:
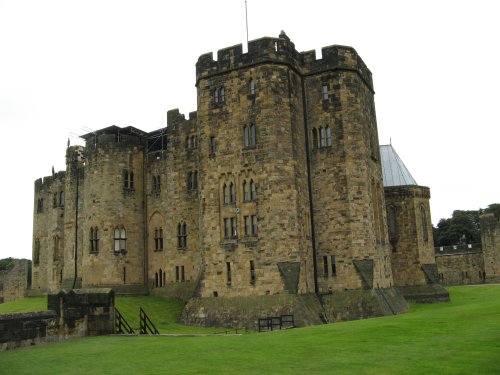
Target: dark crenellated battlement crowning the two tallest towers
(282,51)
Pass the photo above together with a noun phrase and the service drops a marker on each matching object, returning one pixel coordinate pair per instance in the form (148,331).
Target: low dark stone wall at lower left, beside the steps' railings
(77,313)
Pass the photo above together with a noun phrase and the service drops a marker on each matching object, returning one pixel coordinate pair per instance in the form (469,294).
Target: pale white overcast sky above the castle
(70,66)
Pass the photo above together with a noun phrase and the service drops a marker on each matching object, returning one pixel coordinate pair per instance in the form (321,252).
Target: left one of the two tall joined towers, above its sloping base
(253,187)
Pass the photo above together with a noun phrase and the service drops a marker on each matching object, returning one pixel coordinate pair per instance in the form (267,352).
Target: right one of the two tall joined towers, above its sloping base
(348,202)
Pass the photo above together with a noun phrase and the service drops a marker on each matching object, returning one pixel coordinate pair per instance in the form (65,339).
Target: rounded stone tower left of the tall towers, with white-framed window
(111,232)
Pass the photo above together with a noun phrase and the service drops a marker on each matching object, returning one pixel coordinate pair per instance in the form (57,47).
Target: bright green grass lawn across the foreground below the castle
(461,337)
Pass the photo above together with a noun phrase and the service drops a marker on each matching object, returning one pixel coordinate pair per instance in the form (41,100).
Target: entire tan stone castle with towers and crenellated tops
(269,198)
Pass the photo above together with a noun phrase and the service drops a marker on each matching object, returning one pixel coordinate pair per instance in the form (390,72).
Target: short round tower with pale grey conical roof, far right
(410,231)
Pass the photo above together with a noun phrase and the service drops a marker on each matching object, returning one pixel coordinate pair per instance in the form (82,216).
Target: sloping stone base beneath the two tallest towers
(309,309)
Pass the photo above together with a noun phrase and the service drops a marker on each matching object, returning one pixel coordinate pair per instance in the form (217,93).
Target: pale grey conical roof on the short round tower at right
(394,170)
